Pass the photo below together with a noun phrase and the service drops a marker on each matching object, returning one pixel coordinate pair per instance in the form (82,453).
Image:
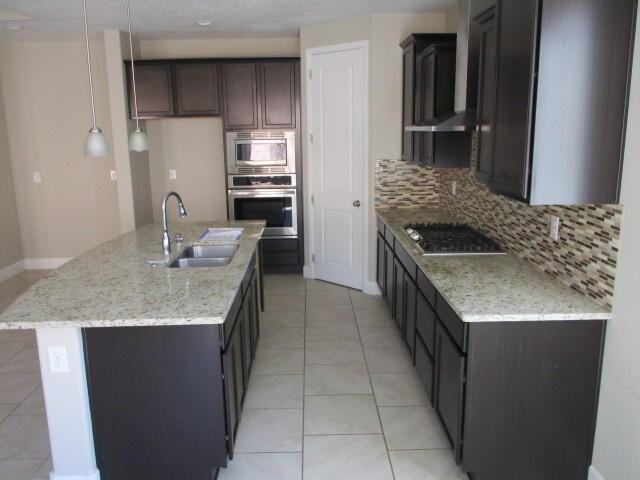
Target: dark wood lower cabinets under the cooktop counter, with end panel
(518,400)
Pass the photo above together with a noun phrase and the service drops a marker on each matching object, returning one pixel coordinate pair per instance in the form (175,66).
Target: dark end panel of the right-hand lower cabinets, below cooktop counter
(531,401)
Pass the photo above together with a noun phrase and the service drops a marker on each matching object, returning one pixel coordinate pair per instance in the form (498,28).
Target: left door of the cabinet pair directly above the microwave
(240,95)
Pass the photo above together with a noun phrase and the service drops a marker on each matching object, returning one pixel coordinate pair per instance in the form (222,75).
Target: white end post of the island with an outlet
(67,405)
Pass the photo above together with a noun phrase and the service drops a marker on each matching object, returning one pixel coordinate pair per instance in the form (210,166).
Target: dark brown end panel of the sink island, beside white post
(157,401)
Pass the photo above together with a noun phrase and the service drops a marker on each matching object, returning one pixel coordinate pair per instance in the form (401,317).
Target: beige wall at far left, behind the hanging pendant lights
(46,98)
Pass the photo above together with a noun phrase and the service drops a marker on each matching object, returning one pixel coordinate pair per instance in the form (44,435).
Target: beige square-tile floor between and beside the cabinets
(332,394)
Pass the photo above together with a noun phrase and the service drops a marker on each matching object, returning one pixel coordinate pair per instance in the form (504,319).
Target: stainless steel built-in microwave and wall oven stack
(261,169)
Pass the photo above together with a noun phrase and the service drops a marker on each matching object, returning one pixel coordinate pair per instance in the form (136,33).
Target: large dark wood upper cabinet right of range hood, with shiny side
(561,91)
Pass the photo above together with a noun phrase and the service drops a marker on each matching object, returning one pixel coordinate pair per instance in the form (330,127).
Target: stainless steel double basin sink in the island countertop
(199,256)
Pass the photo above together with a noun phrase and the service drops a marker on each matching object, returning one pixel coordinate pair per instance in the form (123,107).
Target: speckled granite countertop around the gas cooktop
(493,288)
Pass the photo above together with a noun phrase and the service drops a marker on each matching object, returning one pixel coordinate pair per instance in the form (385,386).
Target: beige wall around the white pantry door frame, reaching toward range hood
(384,34)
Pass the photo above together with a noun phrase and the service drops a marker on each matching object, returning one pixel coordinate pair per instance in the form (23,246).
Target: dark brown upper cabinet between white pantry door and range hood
(429,67)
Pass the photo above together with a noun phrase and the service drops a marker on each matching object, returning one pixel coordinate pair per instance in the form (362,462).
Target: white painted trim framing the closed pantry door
(359,45)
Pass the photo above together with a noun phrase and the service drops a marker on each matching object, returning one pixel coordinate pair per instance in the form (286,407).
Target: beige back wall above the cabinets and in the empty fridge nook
(194,146)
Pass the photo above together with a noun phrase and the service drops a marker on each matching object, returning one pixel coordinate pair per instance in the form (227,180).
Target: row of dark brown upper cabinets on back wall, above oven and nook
(249,94)
